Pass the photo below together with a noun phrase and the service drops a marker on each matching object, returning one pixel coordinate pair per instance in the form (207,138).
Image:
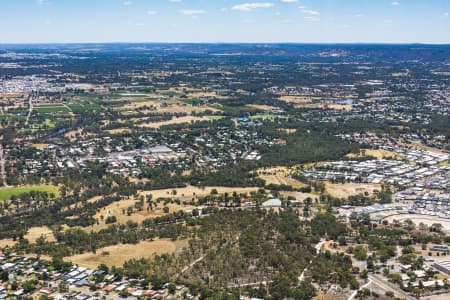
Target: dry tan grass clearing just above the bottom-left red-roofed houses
(116,255)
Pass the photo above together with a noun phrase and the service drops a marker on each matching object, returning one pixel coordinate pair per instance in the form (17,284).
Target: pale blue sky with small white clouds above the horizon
(296,21)
